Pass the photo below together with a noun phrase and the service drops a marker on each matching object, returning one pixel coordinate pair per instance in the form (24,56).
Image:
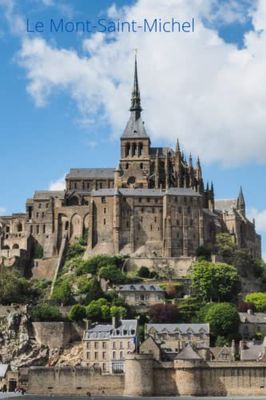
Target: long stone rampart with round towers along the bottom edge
(147,377)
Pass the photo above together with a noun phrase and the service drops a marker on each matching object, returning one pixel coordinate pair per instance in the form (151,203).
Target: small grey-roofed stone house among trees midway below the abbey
(141,295)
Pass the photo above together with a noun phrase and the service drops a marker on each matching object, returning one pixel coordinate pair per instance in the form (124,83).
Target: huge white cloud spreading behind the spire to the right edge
(195,86)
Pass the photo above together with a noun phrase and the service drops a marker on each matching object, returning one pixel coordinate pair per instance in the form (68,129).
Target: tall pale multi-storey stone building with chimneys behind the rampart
(106,345)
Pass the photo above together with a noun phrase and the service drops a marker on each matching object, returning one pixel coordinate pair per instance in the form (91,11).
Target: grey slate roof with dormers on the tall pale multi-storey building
(127,328)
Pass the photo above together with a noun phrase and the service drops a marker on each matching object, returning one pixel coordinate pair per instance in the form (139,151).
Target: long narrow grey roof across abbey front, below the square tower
(146,192)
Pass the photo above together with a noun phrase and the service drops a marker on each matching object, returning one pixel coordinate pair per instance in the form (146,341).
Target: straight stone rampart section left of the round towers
(77,381)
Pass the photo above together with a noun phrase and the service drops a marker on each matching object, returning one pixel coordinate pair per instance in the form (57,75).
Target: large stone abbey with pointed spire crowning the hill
(154,205)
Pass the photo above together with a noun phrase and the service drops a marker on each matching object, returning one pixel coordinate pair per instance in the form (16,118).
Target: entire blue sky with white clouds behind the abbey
(56,114)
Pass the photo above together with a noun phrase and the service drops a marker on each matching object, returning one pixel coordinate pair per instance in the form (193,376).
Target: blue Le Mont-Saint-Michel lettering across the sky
(103,25)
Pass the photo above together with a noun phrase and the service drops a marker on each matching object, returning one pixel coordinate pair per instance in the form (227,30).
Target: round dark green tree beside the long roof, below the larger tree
(223,319)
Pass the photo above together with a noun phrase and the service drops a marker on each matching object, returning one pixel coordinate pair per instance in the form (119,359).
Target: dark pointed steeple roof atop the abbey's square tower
(135,127)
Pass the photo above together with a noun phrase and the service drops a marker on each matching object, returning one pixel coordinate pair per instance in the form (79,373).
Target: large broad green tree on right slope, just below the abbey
(215,282)
